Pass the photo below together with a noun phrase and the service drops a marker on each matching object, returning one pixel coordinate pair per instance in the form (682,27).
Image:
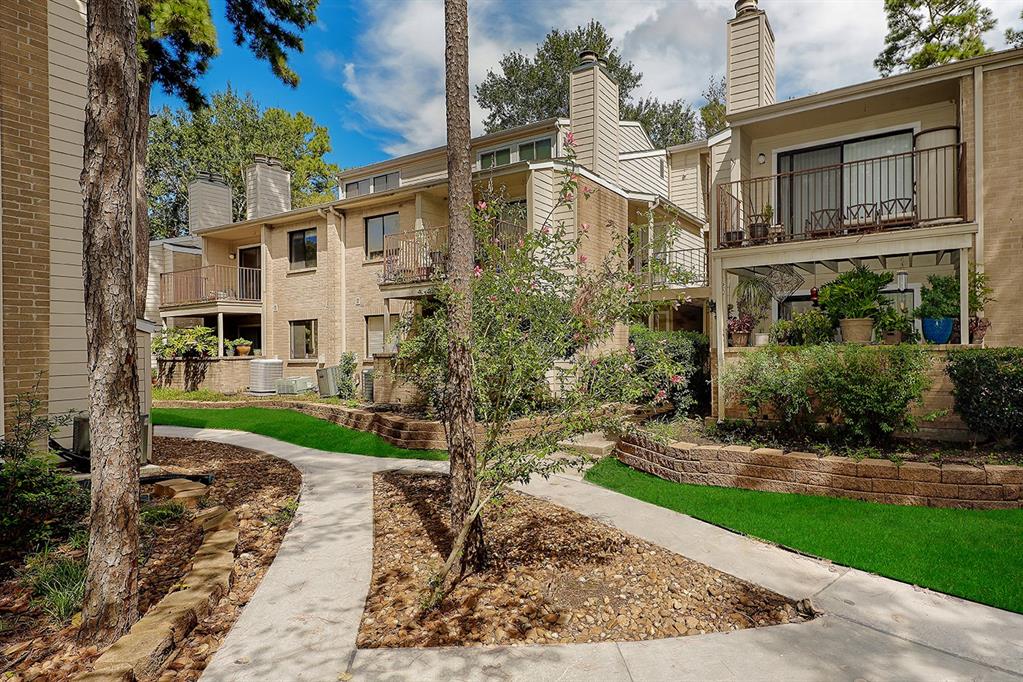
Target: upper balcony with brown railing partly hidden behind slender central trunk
(421,256)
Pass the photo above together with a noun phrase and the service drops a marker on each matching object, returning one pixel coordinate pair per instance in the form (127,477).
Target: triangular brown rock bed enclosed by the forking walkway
(554,577)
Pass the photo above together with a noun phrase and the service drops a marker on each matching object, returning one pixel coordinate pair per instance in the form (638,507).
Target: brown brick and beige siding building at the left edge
(43,72)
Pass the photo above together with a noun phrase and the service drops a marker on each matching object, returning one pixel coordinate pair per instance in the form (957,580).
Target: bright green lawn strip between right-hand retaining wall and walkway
(977,556)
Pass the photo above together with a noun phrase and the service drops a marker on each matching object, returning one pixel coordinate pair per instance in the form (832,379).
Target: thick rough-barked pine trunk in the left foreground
(112,583)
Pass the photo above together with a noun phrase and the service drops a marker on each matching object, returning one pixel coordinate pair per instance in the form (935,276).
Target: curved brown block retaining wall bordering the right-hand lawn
(957,486)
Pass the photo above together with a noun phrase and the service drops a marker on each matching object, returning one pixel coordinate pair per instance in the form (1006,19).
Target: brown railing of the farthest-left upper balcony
(210,284)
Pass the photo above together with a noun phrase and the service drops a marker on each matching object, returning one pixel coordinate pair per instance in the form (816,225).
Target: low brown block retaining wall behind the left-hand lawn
(398,430)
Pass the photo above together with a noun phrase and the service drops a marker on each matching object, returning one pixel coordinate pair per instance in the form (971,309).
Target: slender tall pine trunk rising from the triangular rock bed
(460,414)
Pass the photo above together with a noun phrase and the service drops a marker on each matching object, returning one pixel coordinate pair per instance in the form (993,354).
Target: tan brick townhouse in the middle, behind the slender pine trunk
(312,284)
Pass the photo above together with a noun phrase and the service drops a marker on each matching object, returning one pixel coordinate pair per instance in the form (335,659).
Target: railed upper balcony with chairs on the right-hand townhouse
(919,189)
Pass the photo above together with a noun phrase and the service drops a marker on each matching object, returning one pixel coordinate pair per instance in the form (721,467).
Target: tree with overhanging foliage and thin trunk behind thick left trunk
(177,40)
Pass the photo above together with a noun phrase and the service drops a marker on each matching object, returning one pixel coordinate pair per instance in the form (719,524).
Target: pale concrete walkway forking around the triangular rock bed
(302,622)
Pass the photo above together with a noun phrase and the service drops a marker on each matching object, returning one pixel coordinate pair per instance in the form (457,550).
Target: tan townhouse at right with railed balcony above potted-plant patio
(919,173)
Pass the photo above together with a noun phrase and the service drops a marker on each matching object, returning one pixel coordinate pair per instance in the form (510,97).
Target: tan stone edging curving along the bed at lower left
(143,654)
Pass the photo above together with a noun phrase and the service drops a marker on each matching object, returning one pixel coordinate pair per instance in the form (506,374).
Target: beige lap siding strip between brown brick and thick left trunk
(67,54)
